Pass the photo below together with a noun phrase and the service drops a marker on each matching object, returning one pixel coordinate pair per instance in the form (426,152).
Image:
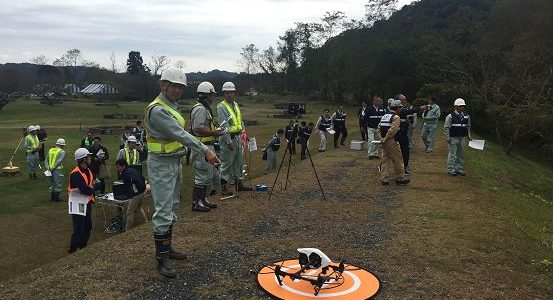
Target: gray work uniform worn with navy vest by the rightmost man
(455,162)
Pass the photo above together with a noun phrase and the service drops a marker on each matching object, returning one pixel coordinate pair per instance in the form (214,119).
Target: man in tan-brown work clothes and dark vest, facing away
(389,128)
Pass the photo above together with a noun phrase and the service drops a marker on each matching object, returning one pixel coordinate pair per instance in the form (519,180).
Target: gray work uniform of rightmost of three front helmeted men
(232,161)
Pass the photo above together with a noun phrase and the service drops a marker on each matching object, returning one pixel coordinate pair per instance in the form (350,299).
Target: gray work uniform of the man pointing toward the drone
(165,170)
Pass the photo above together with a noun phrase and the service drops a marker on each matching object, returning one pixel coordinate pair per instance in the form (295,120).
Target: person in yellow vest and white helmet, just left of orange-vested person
(54,164)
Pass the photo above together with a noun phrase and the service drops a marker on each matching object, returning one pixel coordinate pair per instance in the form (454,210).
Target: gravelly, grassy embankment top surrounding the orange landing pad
(437,238)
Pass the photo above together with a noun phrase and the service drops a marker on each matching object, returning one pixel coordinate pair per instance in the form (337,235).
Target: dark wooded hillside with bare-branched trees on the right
(496,54)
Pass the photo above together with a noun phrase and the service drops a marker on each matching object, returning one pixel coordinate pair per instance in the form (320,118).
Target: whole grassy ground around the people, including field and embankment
(487,235)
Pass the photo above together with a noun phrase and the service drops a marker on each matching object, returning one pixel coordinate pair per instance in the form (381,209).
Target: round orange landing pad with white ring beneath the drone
(355,283)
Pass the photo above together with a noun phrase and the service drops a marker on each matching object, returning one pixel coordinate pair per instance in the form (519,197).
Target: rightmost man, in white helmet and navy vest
(457,126)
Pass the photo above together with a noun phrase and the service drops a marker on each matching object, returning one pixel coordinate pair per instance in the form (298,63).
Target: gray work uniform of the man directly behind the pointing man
(204,172)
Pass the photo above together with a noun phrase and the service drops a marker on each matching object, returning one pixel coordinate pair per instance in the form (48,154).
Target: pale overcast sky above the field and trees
(205,34)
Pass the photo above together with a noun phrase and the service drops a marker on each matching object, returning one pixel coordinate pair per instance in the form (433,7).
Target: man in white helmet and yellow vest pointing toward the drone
(167,138)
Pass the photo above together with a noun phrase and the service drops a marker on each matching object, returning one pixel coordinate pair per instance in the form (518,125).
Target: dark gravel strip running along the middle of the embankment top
(353,222)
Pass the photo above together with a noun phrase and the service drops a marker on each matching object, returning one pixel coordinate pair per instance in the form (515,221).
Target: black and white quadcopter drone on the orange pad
(313,259)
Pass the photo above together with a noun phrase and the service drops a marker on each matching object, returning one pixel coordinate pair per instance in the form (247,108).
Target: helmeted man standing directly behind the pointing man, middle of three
(205,128)
